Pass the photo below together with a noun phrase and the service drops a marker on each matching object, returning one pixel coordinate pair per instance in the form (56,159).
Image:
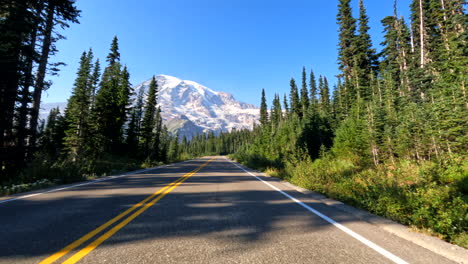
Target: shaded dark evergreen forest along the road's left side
(105,127)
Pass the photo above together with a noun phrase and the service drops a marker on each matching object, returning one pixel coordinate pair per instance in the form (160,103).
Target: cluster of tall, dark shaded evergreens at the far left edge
(27,42)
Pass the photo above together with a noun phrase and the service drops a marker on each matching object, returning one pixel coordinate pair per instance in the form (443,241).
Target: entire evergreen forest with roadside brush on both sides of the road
(389,136)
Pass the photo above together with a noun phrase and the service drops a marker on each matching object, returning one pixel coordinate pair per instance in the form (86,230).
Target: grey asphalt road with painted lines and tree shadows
(201,211)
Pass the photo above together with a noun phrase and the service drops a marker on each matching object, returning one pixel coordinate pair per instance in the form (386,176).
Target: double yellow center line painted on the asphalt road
(158,195)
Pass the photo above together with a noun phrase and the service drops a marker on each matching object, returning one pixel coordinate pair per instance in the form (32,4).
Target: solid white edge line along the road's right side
(348,231)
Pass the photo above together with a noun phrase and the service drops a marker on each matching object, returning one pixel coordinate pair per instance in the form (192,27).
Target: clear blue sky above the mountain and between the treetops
(236,46)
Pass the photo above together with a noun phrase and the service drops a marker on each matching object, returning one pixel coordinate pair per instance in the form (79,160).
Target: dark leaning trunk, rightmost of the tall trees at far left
(41,71)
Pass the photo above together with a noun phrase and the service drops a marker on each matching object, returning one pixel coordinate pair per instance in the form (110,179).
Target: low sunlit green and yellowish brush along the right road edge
(430,196)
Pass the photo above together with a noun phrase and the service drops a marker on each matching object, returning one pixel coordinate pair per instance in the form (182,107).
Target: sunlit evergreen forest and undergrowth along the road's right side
(390,136)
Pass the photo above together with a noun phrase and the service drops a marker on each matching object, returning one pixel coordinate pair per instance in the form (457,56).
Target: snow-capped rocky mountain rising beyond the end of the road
(189,108)
